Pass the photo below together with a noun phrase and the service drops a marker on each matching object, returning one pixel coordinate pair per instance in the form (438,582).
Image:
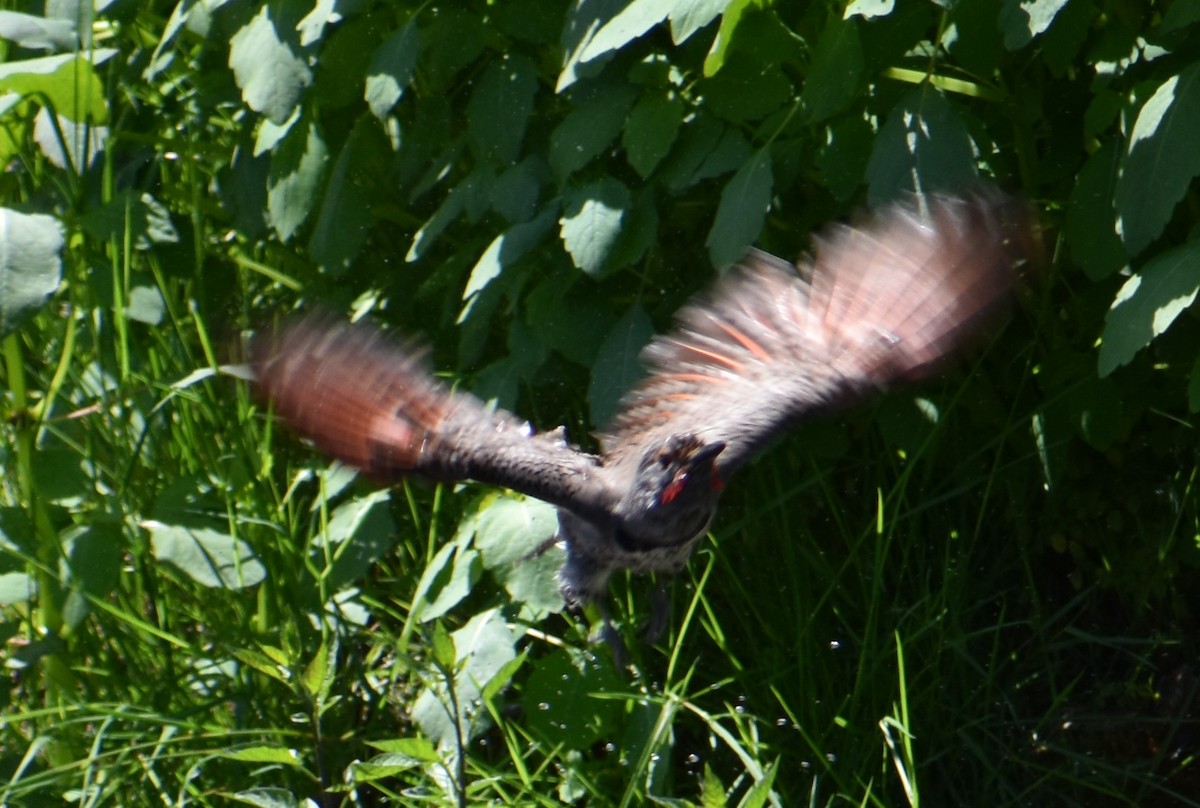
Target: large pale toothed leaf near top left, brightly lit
(268,69)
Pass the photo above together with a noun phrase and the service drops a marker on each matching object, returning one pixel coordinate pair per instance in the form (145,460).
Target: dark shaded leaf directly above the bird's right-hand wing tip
(923,147)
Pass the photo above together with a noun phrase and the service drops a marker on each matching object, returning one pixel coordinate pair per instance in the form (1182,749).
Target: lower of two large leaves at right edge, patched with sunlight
(1149,303)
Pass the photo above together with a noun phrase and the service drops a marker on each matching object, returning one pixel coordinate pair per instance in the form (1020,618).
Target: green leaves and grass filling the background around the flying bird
(982,591)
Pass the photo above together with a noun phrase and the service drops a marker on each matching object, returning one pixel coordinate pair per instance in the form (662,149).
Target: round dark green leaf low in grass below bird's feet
(560,699)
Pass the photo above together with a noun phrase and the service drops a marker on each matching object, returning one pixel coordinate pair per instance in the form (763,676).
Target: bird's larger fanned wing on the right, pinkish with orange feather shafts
(886,300)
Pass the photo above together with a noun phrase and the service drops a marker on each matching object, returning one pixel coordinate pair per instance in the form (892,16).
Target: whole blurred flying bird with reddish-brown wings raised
(885,301)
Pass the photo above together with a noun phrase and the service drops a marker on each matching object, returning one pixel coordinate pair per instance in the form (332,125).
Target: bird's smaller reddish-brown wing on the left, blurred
(371,404)
